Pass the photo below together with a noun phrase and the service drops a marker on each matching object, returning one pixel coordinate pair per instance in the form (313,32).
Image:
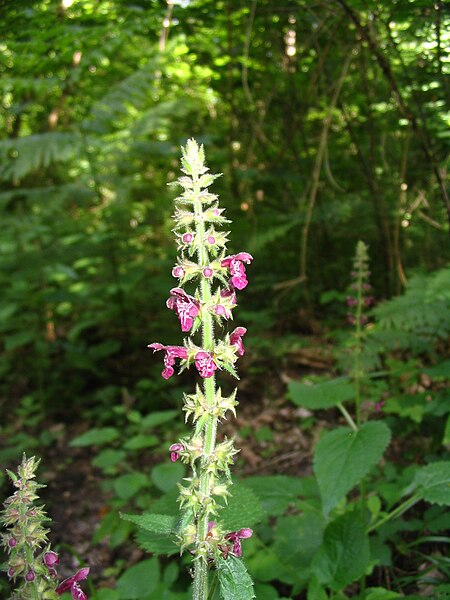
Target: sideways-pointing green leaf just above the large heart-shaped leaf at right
(321,395)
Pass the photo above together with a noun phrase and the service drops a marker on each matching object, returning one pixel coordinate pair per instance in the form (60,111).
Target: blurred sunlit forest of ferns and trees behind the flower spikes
(329,121)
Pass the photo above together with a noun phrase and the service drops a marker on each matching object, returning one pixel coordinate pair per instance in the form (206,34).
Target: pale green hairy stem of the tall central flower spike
(200,588)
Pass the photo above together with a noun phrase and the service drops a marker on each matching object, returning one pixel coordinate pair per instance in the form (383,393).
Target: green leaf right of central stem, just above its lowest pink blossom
(243,509)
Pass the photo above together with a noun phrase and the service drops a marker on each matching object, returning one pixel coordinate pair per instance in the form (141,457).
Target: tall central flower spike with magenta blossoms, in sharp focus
(202,259)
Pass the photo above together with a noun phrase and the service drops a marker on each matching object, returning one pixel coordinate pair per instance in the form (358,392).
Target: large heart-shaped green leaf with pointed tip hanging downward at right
(343,457)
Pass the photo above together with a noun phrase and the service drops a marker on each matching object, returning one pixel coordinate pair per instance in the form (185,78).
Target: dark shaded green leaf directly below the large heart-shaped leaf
(344,555)
